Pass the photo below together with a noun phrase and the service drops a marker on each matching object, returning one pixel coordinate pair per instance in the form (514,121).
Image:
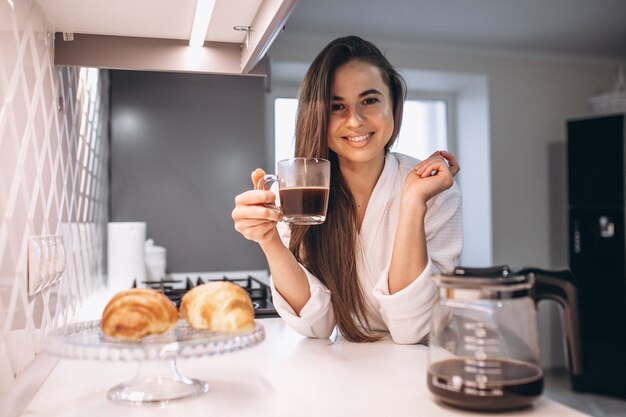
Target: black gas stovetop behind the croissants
(259,292)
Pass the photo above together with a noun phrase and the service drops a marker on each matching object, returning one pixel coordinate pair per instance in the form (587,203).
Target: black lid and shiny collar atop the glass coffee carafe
(484,283)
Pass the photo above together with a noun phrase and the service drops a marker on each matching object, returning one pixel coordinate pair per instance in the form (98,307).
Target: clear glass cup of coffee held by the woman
(303,186)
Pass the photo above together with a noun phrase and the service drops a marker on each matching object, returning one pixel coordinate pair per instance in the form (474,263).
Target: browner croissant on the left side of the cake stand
(134,313)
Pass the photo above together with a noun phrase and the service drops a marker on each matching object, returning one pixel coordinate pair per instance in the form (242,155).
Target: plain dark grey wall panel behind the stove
(183,145)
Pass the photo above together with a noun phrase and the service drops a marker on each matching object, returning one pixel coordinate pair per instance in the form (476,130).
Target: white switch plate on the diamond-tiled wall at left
(46,262)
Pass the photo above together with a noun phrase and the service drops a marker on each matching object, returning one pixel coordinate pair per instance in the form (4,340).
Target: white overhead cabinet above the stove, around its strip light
(153,35)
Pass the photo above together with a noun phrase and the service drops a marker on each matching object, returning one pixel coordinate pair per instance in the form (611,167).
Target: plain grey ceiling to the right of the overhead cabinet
(573,27)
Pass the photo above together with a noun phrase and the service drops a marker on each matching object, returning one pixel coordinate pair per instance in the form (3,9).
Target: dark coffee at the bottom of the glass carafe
(489,385)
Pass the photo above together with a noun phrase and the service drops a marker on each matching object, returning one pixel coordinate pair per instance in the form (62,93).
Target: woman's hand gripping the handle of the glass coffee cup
(253,218)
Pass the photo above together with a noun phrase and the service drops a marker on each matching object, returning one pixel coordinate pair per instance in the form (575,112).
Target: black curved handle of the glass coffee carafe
(560,286)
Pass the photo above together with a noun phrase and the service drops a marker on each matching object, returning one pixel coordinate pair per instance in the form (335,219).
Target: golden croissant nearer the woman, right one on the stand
(218,306)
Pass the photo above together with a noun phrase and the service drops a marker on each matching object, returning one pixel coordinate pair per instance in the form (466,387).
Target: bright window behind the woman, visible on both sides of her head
(424,128)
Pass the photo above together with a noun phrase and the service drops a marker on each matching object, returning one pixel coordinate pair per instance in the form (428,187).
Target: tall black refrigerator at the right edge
(597,254)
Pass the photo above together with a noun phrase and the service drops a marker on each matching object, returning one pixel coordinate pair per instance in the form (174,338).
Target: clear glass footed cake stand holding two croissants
(157,380)
